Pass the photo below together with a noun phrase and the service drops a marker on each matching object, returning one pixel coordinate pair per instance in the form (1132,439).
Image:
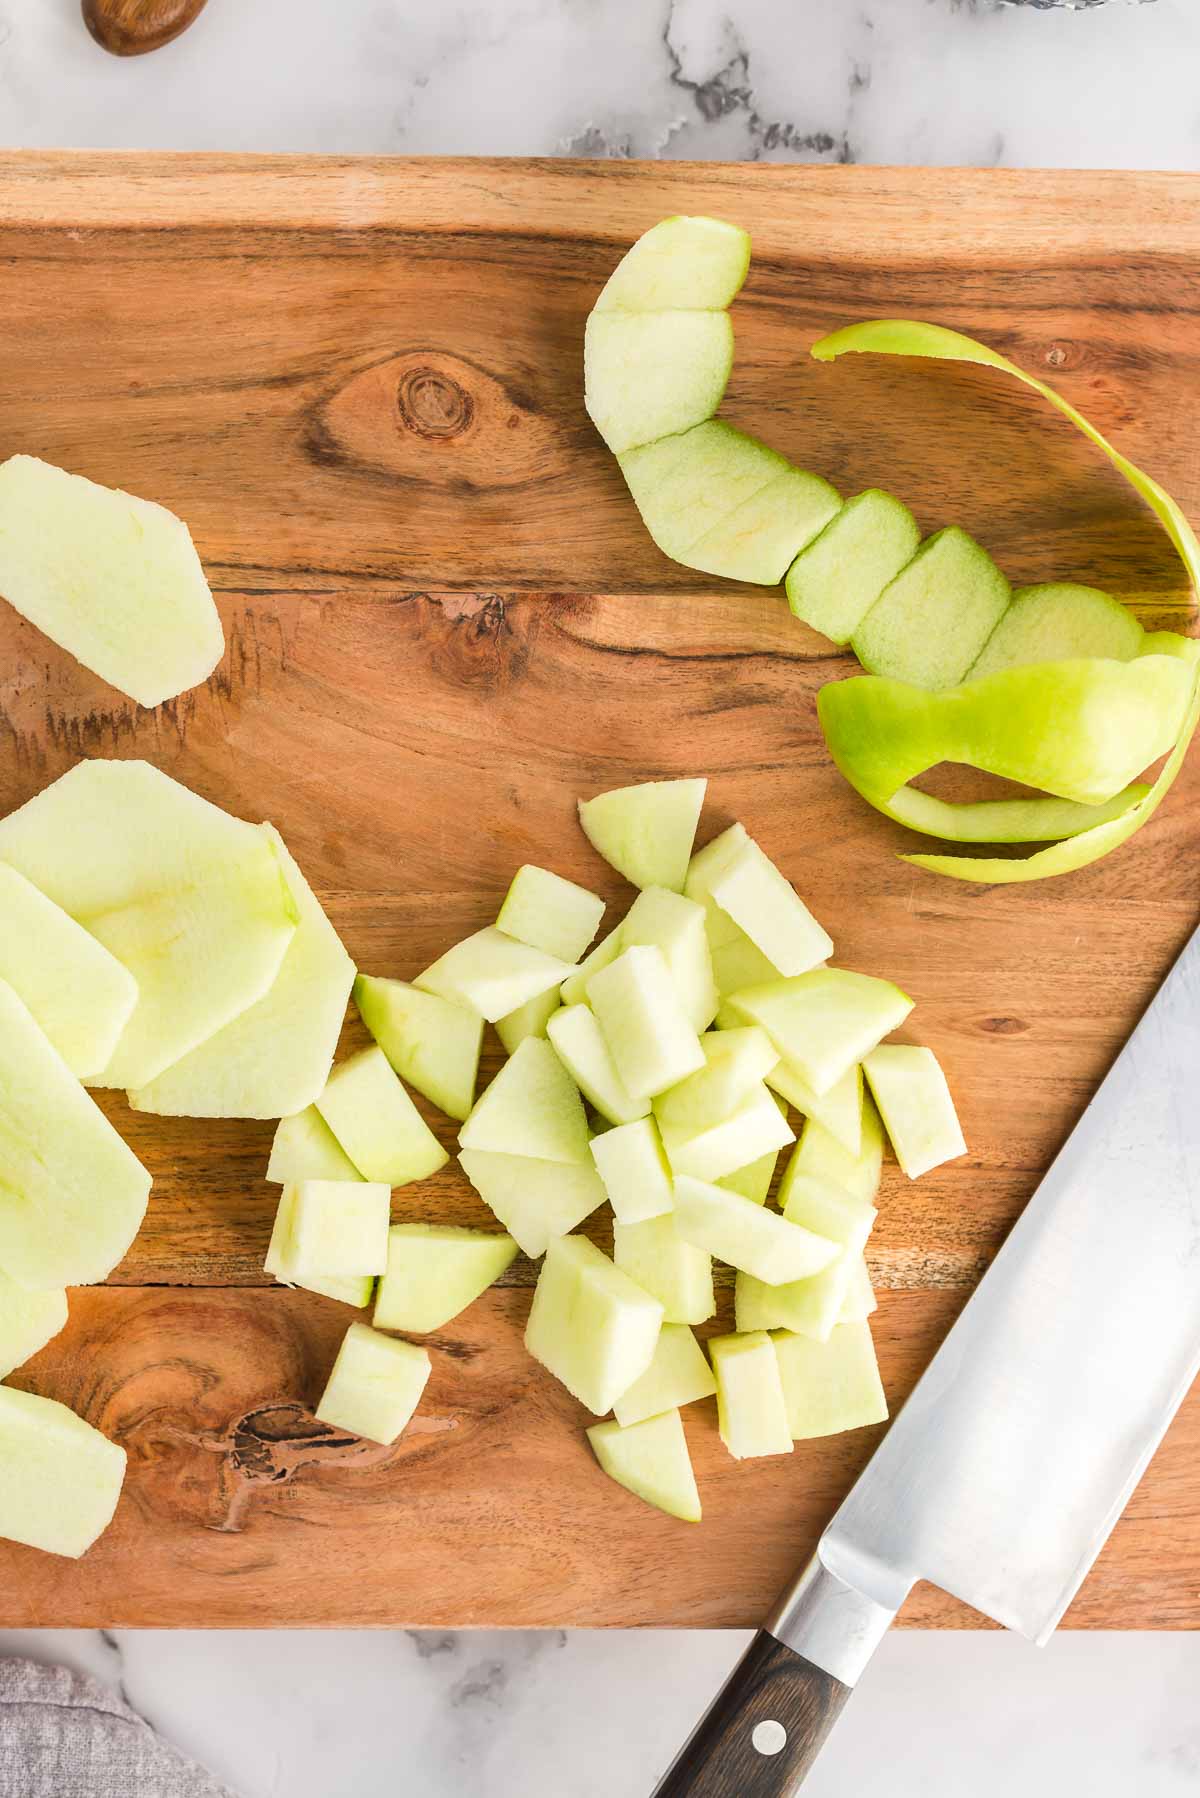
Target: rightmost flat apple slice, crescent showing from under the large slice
(276,1056)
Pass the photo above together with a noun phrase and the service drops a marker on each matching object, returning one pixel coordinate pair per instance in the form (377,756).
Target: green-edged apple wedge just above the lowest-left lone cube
(434,1272)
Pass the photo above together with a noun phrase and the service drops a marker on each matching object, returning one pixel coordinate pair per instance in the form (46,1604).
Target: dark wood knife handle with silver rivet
(771,1687)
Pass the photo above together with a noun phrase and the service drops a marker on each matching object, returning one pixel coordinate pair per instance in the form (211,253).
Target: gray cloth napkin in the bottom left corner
(64,1736)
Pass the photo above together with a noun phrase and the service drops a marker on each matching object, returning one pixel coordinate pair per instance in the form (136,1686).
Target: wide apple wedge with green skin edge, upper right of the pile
(827,1020)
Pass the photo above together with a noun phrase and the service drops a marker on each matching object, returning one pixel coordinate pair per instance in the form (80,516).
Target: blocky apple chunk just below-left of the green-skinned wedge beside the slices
(377,1123)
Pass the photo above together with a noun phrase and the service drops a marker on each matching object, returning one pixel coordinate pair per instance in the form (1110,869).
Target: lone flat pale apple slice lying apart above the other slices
(111,578)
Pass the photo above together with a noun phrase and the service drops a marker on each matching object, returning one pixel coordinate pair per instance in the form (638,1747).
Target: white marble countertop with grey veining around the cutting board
(913,82)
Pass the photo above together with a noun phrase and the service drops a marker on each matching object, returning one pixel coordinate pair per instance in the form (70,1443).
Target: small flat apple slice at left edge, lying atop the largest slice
(78,993)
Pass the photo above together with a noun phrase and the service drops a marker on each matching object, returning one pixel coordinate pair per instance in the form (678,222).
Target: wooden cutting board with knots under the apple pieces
(361,384)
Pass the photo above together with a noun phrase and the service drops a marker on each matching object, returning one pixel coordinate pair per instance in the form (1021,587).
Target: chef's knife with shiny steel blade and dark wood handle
(1019,1450)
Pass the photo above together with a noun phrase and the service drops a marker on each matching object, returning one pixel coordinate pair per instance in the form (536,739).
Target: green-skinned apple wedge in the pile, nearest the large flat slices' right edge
(431,1042)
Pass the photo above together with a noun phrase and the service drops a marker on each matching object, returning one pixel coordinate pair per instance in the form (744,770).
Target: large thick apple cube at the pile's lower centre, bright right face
(591,1326)
